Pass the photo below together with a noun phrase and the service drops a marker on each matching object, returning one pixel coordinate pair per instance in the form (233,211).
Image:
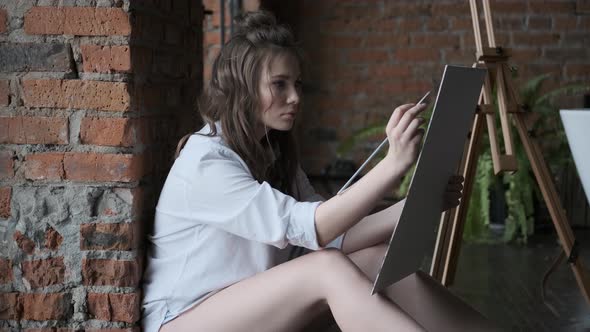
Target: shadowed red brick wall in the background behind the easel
(367,56)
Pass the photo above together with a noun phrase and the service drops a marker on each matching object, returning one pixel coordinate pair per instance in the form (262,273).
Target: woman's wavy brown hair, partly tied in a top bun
(232,97)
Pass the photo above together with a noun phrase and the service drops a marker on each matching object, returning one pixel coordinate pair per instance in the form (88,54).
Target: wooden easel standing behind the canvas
(495,59)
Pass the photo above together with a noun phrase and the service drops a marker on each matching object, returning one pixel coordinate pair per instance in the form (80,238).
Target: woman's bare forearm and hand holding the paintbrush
(338,214)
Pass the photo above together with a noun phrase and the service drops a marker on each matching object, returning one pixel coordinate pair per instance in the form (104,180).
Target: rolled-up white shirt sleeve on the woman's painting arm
(225,195)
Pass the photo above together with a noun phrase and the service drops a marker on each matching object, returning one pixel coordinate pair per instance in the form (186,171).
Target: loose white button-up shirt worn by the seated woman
(216,225)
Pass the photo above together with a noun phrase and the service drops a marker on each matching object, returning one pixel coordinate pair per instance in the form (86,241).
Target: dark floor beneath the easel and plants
(504,283)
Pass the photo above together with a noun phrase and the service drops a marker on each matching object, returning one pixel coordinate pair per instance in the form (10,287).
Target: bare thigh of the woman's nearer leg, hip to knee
(283,298)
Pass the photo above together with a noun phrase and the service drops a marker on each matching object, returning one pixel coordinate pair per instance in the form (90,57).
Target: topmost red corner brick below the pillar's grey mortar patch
(106,236)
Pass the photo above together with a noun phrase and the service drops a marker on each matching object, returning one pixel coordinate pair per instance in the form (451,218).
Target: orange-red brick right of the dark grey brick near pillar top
(106,59)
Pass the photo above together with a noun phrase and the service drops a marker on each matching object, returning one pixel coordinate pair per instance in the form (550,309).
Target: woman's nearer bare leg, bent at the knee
(289,295)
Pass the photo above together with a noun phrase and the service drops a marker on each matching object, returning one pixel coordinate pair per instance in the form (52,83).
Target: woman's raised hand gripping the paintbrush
(404,135)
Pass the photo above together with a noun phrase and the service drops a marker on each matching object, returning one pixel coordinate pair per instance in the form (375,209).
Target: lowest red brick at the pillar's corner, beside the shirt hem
(114,307)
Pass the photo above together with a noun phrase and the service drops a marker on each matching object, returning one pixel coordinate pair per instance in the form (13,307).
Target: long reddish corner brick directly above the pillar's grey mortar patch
(103,167)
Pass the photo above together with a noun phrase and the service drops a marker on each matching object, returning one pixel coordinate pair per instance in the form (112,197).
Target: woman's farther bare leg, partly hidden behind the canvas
(427,301)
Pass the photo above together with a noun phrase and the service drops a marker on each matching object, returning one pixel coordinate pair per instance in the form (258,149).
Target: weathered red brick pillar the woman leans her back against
(92,103)
